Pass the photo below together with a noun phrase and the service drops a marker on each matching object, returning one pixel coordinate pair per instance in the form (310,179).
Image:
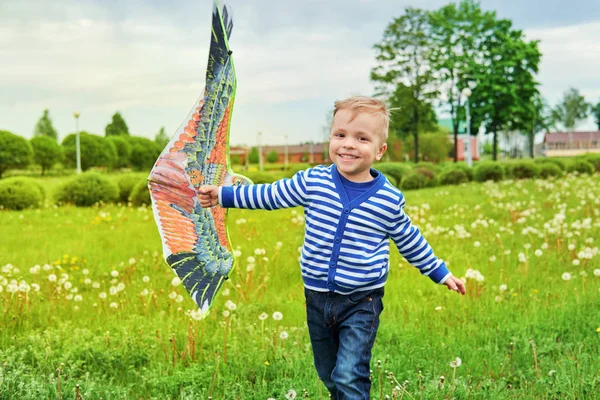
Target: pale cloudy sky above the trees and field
(293,59)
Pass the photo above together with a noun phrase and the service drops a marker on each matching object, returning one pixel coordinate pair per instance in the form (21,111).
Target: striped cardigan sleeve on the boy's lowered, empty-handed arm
(414,248)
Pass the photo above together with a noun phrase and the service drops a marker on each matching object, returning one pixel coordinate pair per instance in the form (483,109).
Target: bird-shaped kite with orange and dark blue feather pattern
(195,240)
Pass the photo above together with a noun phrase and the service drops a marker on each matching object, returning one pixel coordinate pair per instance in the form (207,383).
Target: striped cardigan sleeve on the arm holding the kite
(284,193)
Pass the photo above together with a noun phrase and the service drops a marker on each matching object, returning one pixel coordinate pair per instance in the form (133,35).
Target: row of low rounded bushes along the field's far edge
(92,188)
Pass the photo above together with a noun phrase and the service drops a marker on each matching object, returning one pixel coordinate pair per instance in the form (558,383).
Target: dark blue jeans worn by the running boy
(342,331)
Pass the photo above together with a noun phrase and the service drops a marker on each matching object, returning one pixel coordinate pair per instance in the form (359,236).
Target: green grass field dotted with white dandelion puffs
(89,310)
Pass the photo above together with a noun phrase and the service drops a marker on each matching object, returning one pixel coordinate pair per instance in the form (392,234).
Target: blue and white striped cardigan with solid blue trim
(346,247)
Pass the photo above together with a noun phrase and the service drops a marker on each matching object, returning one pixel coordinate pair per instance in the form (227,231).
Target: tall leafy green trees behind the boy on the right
(426,59)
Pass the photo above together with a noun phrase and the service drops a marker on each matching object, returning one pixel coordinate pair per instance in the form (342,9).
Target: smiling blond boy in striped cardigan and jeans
(351,211)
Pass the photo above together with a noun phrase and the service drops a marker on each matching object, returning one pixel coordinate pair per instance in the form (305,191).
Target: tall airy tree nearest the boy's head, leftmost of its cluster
(403,56)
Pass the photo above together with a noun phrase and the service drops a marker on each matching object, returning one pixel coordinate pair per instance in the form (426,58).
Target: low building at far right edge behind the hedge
(561,144)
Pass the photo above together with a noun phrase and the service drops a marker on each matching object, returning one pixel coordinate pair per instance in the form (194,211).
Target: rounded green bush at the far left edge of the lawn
(19,193)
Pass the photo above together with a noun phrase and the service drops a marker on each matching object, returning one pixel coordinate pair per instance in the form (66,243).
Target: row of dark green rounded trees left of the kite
(116,149)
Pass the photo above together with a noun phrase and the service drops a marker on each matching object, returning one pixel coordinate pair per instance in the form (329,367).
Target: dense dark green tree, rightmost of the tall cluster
(505,80)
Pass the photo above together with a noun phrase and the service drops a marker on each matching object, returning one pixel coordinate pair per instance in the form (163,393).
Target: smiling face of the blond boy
(355,144)
